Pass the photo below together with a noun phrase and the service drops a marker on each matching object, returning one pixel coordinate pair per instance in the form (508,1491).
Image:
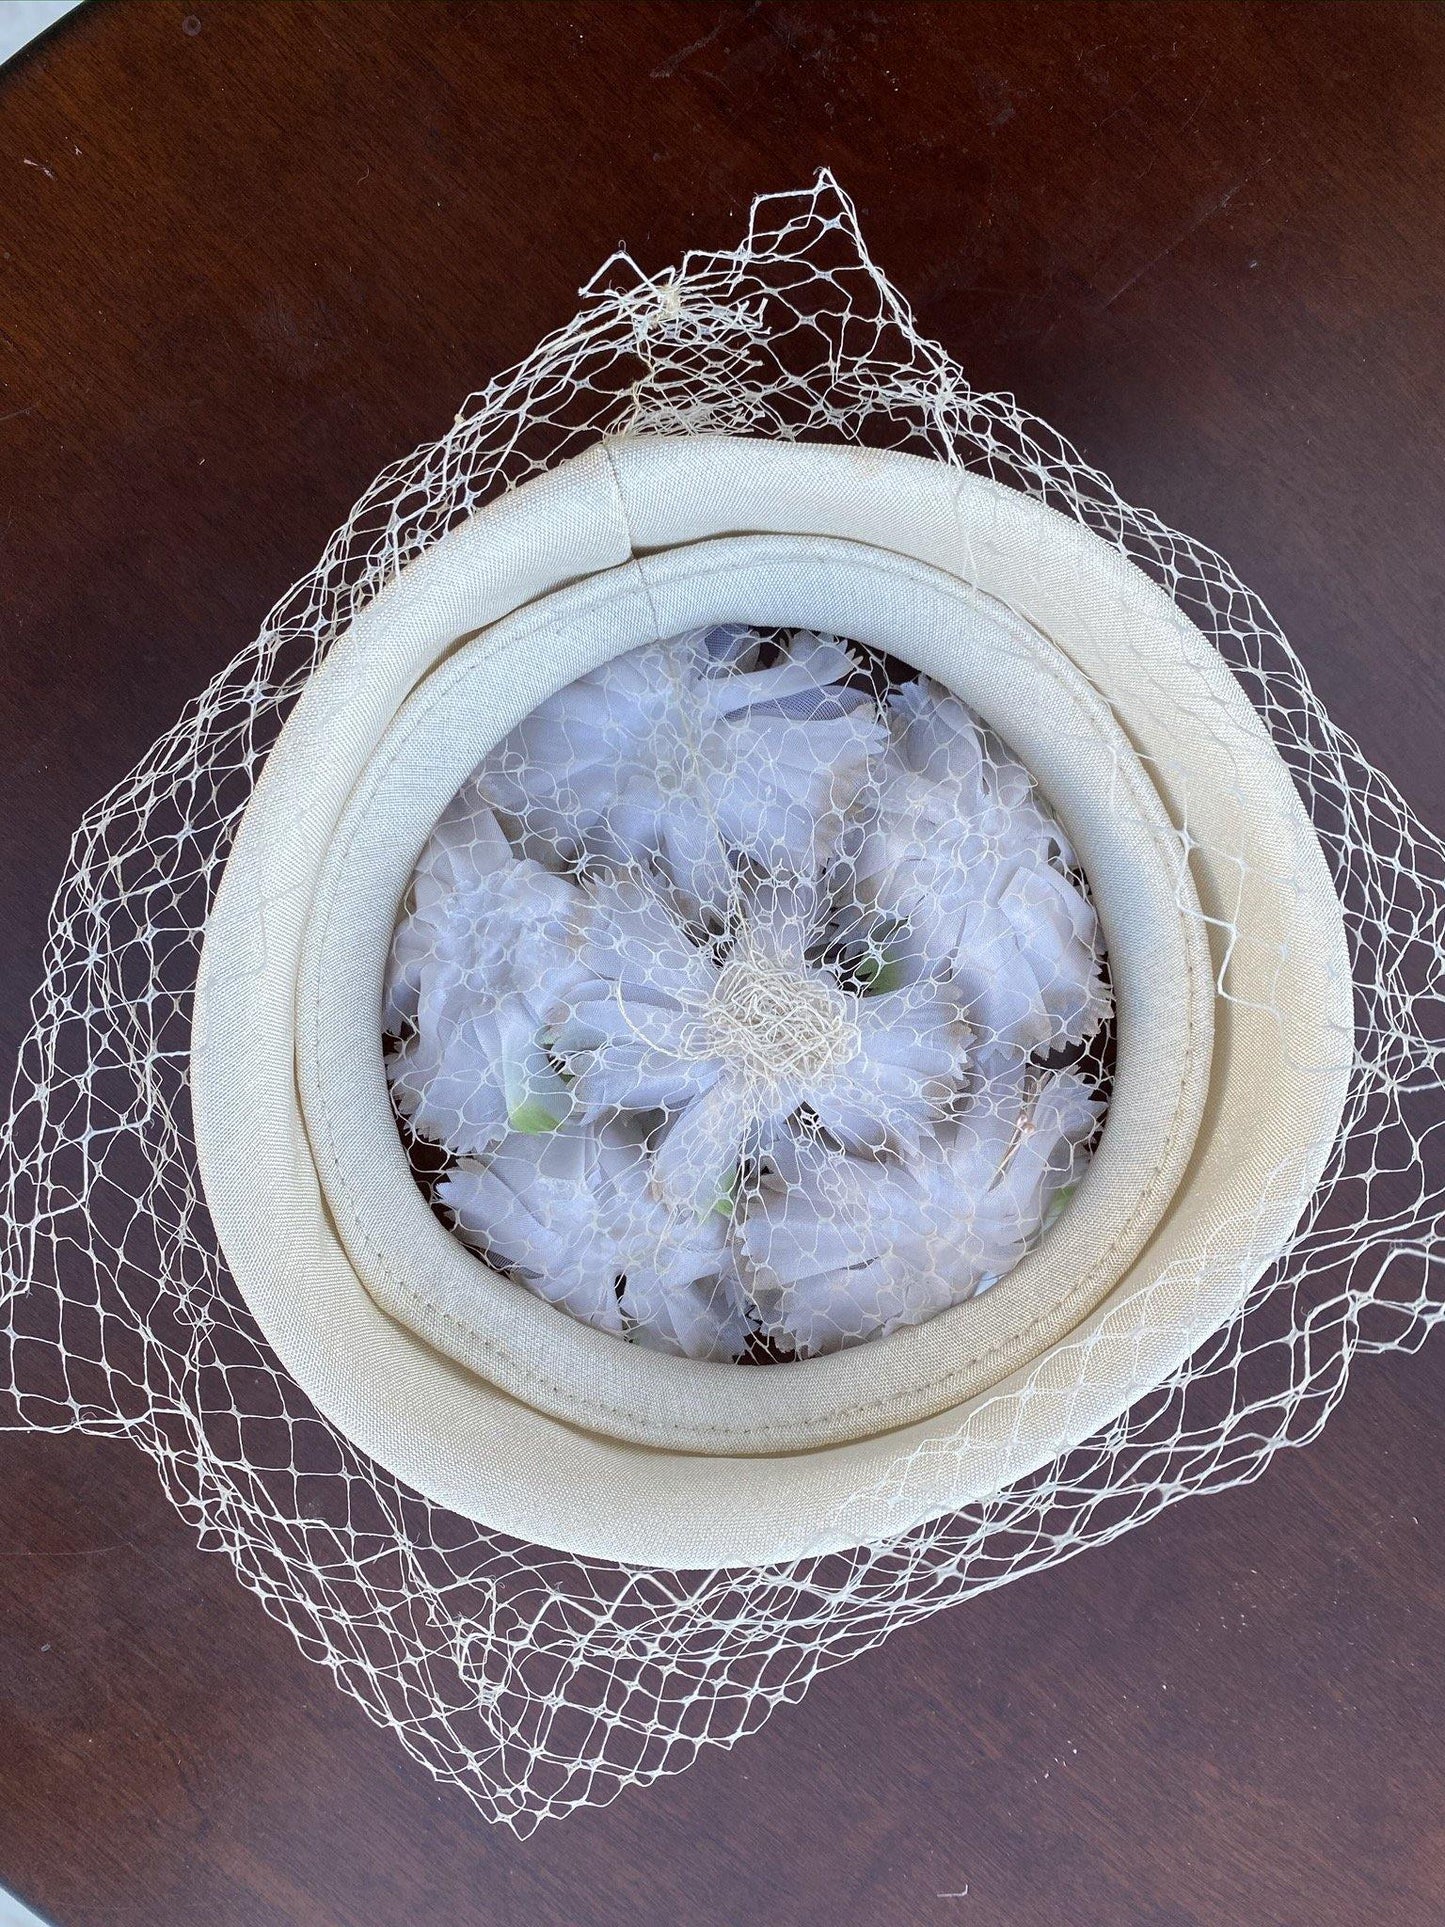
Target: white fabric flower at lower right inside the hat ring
(839,1248)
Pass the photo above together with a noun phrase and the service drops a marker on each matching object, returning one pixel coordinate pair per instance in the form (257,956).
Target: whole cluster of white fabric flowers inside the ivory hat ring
(739,984)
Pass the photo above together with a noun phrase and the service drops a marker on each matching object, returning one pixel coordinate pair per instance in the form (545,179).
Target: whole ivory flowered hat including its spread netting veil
(837,949)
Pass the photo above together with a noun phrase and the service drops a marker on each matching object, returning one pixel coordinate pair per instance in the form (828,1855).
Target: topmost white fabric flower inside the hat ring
(687,758)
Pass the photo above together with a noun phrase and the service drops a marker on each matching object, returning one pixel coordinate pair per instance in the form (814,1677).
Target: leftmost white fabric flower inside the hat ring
(486,951)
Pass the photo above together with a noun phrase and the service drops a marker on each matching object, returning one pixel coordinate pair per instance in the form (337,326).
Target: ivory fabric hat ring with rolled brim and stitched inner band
(1224,1111)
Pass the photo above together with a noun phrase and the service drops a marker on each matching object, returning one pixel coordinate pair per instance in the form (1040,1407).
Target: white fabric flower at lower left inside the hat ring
(573,1215)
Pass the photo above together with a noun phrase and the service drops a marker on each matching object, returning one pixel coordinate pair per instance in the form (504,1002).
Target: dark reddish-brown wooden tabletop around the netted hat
(250,253)
